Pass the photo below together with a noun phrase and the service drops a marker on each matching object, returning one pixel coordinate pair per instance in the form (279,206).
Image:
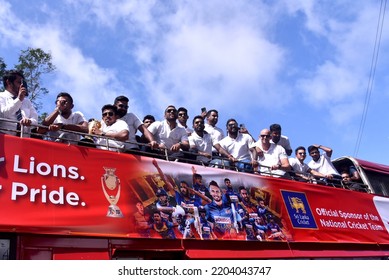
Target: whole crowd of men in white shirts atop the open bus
(204,142)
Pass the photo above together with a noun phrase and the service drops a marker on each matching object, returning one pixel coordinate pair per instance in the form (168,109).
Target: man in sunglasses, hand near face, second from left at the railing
(63,118)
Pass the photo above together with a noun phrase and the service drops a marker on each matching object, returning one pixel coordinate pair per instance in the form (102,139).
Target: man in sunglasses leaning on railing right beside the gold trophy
(113,130)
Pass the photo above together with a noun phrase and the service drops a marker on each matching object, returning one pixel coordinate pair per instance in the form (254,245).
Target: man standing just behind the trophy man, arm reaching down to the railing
(134,124)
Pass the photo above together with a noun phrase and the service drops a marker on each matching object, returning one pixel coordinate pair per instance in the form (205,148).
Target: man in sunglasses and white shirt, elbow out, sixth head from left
(169,135)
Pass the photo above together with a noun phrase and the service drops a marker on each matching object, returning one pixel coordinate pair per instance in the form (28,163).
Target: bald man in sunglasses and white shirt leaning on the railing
(272,158)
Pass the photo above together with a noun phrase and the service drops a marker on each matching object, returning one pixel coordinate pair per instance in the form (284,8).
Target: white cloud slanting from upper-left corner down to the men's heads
(76,73)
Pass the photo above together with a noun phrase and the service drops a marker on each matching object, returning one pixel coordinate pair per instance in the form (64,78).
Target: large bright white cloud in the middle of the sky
(203,51)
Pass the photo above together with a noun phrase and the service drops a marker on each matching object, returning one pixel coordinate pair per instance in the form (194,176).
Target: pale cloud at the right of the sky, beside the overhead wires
(344,76)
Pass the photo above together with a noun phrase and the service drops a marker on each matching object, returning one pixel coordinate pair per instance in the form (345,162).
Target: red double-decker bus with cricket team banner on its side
(66,201)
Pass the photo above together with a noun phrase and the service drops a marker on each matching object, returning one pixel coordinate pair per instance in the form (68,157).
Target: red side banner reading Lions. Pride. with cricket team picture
(55,188)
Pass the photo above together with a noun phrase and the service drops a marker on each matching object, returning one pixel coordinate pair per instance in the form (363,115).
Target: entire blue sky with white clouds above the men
(303,64)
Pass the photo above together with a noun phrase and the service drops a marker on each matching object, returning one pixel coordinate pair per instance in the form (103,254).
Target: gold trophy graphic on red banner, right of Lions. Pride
(111,188)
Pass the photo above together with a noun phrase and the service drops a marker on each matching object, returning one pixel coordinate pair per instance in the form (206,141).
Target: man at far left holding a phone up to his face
(15,106)
